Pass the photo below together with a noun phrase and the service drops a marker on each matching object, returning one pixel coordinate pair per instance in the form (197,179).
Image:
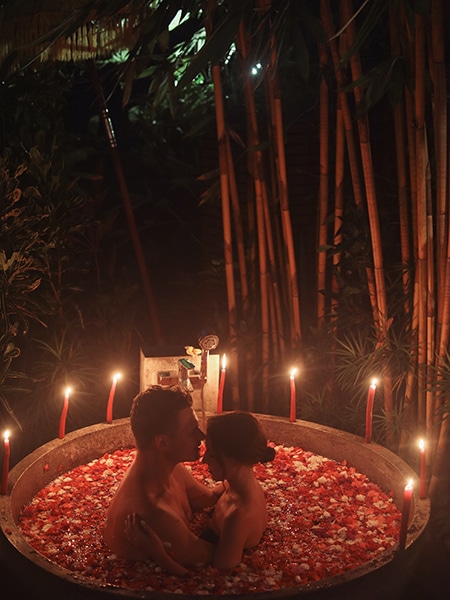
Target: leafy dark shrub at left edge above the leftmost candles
(40,217)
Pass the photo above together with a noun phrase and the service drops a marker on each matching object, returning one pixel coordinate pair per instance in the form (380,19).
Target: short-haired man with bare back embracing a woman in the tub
(157,486)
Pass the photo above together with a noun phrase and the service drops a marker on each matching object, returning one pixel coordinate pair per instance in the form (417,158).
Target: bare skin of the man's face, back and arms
(161,490)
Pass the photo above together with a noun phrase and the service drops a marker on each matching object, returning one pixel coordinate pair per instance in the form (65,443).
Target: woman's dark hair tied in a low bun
(238,435)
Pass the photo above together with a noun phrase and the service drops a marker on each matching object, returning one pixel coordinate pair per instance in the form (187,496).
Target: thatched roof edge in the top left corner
(36,31)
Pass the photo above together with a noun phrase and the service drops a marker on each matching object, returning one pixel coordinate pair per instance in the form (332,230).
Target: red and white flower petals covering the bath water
(324,519)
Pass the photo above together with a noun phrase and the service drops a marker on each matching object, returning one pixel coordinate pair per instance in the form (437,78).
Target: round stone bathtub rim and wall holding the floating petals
(38,578)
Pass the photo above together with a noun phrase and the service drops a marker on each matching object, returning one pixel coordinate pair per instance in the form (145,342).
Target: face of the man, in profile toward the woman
(185,442)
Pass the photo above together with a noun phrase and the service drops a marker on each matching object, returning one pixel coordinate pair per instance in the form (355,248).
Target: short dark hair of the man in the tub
(155,411)
